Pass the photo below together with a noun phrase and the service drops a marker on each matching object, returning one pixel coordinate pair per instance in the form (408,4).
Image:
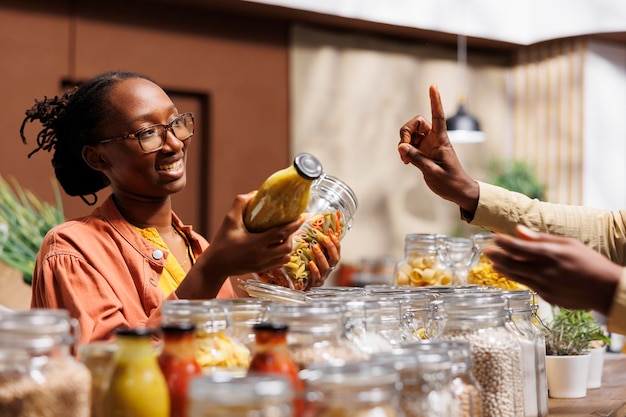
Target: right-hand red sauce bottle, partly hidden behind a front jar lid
(272,355)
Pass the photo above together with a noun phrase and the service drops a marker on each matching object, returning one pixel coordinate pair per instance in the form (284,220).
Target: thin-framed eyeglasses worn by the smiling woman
(152,138)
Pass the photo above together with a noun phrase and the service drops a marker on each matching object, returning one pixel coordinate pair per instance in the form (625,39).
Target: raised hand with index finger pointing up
(428,148)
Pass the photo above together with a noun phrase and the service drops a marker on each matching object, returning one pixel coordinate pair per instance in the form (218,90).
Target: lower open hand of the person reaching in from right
(562,270)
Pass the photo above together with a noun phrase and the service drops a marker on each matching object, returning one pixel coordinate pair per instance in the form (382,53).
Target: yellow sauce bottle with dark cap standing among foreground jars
(138,387)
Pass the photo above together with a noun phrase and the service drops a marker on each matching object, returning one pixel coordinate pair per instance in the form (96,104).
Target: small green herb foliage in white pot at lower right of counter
(571,332)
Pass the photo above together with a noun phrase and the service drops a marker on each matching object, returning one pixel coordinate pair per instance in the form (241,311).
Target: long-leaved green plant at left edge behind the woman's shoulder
(24,221)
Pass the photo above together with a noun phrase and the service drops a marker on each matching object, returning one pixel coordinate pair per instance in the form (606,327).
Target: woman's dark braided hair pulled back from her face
(71,122)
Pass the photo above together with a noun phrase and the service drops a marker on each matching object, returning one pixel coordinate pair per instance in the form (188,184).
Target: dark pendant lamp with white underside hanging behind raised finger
(463,127)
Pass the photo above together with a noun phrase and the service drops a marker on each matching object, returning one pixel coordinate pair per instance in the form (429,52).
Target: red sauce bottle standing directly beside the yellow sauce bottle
(178,364)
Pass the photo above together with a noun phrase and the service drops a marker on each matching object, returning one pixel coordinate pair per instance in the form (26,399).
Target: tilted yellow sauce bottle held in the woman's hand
(284,195)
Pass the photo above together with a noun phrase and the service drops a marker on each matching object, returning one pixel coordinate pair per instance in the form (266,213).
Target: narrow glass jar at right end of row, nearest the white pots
(519,304)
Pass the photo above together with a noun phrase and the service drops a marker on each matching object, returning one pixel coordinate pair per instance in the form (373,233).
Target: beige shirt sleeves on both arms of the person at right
(499,210)
